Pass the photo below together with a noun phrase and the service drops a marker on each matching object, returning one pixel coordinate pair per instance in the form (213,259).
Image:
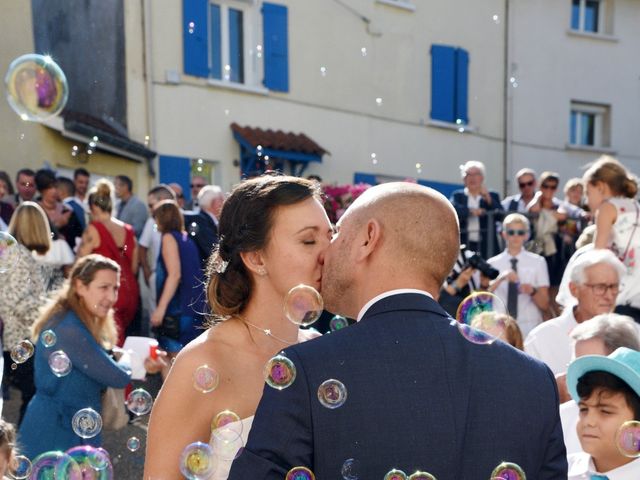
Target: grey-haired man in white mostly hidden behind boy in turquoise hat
(602,335)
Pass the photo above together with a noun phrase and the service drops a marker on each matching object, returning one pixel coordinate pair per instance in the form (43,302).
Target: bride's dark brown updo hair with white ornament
(245,225)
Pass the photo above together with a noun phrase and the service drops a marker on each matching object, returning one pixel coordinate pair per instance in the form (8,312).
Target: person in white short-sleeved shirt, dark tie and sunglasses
(523,283)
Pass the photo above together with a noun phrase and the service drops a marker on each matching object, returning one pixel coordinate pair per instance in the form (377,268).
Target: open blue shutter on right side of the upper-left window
(276,47)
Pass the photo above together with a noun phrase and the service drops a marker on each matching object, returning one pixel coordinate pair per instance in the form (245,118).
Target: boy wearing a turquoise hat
(607,390)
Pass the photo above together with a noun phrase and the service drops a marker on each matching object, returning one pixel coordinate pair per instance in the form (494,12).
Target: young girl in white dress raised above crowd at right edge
(611,195)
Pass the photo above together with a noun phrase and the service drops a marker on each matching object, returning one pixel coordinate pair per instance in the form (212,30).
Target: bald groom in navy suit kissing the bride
(420,397)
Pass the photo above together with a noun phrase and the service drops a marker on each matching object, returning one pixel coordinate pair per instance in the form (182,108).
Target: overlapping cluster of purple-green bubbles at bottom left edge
(77,463)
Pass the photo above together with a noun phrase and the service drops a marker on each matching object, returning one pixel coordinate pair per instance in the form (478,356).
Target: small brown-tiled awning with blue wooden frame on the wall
(262,150)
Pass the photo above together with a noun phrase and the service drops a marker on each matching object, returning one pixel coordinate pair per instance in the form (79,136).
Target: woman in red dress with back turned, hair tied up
(116,240)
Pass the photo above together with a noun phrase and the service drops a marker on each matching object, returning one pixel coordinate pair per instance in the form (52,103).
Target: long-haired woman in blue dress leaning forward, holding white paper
(83,327)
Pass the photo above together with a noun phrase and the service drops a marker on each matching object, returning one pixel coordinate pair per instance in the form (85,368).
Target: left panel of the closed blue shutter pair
(443,83)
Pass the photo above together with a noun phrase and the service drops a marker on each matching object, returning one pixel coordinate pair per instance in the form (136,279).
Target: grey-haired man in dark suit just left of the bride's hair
(203,226)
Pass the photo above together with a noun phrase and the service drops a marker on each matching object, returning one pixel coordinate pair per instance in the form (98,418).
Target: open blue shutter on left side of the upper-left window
(195,37)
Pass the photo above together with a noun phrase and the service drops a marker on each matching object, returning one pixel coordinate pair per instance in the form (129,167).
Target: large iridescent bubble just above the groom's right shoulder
(478,318)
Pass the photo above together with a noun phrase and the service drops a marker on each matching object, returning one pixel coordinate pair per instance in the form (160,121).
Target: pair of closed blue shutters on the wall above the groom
(449,84)
